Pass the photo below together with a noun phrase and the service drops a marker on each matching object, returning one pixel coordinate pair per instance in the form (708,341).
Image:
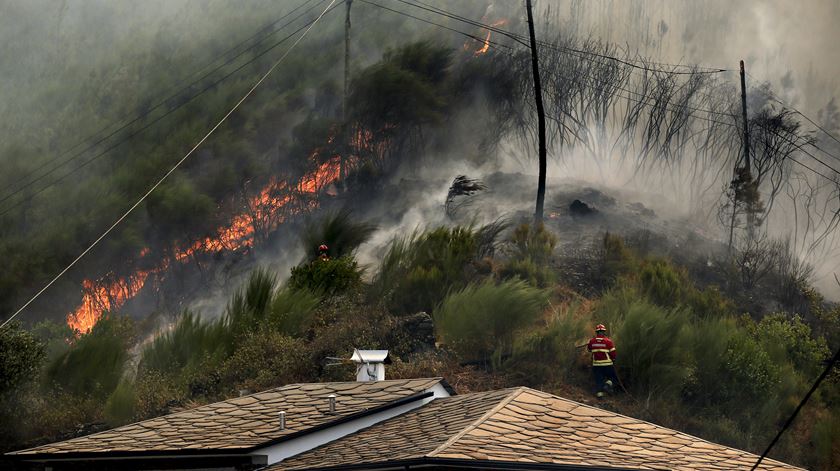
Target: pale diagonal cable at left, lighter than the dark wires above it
(174,167)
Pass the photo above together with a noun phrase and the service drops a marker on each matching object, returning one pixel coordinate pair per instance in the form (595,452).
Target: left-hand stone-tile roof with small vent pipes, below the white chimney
(242,423)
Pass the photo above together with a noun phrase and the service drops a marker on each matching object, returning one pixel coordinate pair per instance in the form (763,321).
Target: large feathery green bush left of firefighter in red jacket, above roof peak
(481,321)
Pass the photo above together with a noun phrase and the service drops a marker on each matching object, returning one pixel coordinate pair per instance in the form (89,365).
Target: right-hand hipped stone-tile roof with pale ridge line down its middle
(522,427)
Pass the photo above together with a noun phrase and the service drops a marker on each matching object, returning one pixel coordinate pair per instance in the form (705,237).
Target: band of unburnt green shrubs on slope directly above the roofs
(685,358)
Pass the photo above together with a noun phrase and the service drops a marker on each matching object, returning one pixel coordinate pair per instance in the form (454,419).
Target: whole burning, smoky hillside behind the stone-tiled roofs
(718,287)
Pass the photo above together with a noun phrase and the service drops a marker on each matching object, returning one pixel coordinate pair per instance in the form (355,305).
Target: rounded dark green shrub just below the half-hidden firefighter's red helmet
(332,276)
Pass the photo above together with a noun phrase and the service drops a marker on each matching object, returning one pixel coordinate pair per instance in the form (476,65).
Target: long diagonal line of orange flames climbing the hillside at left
(111,292)
